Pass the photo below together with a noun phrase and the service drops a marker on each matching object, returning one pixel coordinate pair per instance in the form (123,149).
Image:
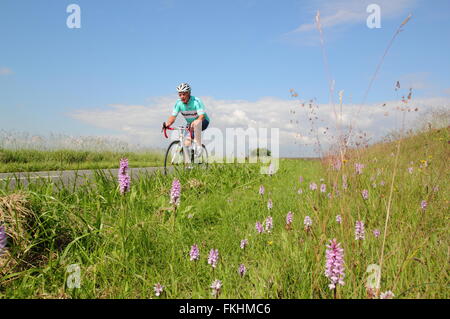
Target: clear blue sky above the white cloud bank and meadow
(133,53)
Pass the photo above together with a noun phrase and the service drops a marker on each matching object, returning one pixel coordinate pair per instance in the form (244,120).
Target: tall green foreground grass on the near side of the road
(126,244)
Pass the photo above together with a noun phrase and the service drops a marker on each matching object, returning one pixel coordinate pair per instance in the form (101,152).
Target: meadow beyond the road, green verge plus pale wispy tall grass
(23,152)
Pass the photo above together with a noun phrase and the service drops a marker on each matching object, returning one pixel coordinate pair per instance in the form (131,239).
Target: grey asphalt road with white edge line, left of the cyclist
(67,178)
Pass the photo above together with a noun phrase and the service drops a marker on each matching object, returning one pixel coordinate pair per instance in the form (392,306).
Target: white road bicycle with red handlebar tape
(180,156)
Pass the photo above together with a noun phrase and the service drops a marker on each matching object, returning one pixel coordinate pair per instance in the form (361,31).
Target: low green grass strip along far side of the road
(26,160)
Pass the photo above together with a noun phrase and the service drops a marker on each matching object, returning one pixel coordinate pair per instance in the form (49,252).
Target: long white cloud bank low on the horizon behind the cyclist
(141,123)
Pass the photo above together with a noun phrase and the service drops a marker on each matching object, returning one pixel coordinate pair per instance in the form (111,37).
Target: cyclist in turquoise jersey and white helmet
(193,110)
